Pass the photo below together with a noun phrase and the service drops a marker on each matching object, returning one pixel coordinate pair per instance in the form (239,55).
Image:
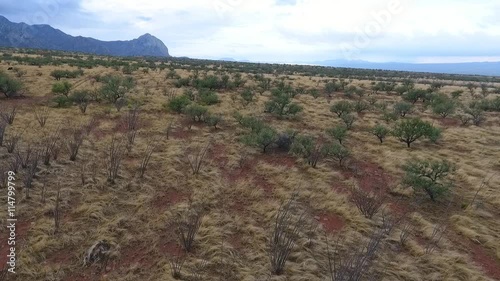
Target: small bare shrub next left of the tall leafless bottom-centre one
(187,224)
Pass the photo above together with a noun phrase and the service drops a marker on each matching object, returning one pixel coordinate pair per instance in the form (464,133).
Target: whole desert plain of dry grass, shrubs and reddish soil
(208,208)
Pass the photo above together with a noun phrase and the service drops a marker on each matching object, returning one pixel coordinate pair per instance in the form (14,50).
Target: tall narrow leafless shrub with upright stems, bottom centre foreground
(285,232)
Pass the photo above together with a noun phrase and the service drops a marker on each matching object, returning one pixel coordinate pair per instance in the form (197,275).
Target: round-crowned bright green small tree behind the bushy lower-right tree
(410,130)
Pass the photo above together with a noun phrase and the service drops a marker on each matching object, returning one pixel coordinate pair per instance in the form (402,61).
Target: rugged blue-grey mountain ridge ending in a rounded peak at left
(21,35)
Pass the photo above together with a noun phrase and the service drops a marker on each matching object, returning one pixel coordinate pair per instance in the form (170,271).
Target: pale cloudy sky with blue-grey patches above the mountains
(285,30)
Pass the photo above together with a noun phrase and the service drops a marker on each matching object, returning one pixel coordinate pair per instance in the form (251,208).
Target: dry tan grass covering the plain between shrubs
(239,203)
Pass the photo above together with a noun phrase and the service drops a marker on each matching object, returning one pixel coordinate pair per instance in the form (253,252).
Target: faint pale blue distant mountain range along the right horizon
(477,68)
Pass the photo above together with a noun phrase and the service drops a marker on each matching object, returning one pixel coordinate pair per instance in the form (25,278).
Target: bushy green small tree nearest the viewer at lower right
(429,176)
